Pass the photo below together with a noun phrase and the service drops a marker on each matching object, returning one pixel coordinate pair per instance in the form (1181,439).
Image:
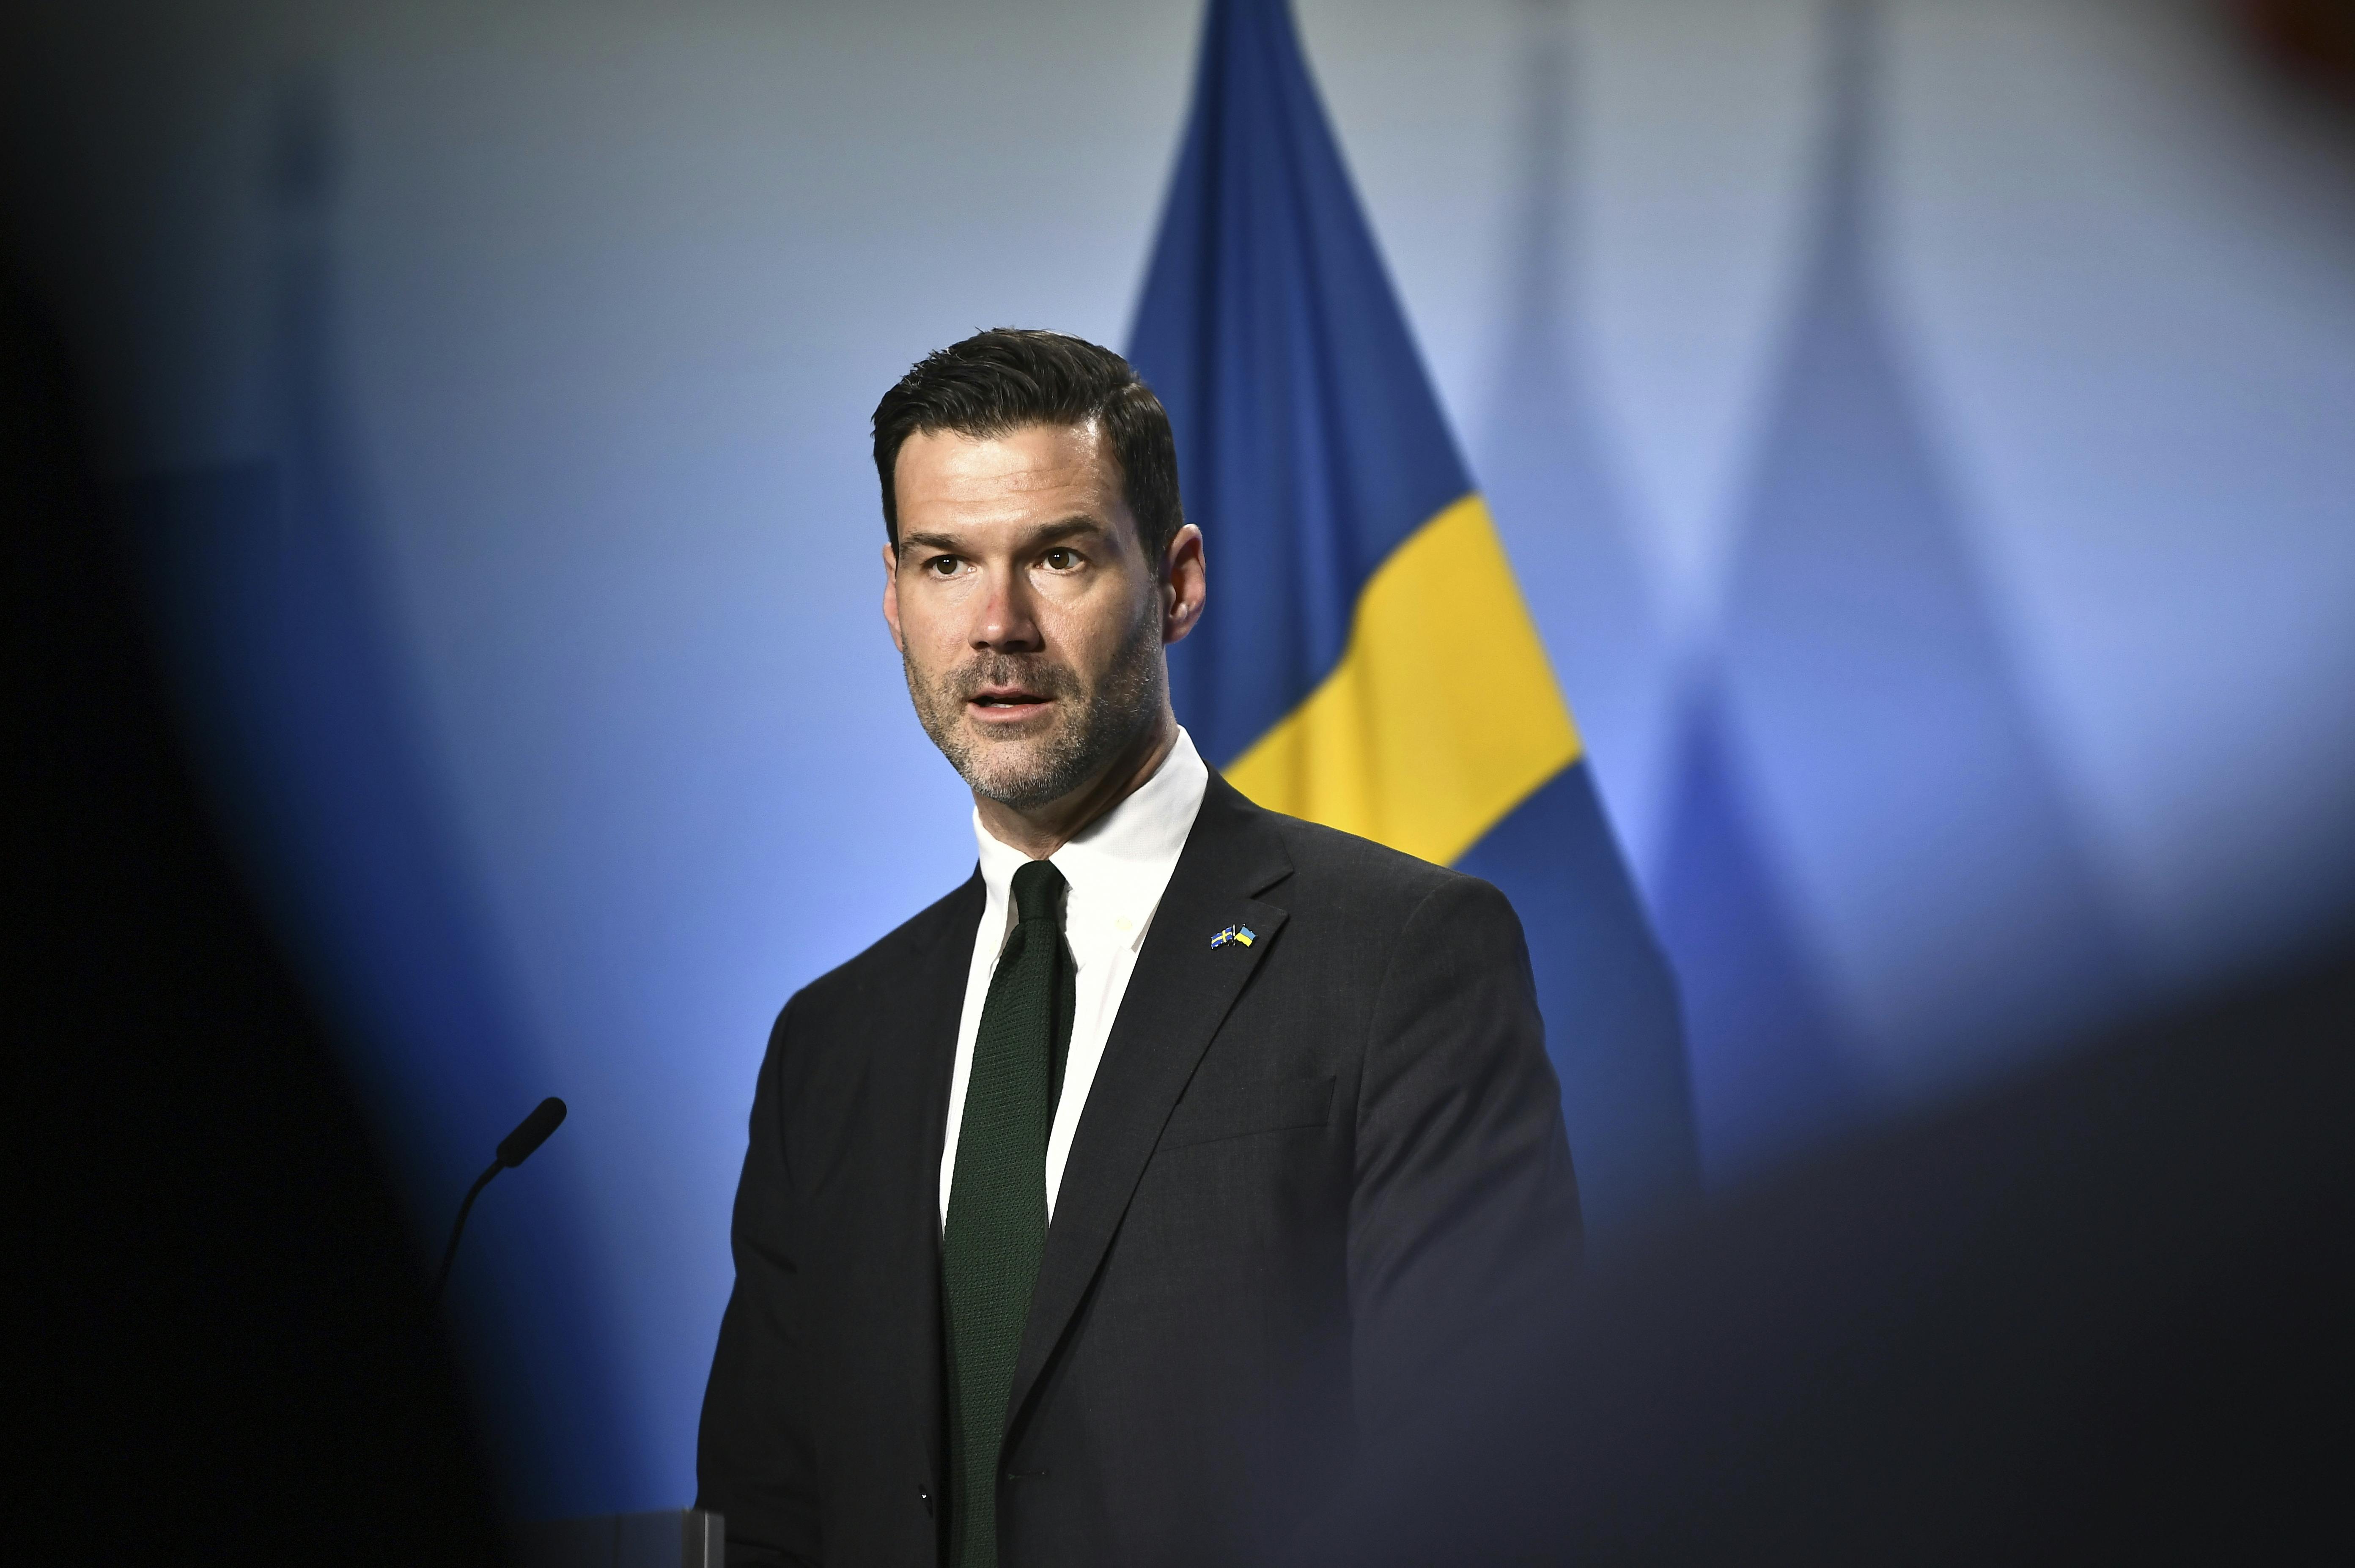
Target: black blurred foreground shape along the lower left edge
(232,1350)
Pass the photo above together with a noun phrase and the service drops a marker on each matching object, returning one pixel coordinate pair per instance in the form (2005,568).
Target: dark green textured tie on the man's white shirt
(997,1202)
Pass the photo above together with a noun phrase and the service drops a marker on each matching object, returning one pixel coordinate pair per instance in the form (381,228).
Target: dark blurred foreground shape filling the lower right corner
(2097,1320)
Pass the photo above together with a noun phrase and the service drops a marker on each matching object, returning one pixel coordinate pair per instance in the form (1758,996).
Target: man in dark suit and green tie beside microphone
(1113,1209)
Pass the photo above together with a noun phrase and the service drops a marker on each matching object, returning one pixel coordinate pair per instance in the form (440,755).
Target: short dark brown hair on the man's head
(1014,378)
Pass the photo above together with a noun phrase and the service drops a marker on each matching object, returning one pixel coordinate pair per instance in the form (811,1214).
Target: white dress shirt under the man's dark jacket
(1117,870)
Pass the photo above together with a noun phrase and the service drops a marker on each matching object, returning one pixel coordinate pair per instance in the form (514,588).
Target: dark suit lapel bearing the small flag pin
(1176,1002)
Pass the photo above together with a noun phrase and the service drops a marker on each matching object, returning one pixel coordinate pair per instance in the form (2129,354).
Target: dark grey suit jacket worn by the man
(1311,1171)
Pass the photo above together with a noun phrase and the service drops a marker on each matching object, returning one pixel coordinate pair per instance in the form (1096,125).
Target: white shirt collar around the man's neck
(1120,863)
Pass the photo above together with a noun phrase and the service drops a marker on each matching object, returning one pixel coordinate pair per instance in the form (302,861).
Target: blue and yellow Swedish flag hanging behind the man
(1369,660)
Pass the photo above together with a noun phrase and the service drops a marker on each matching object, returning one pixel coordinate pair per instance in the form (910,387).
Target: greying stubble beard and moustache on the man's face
(1087,731)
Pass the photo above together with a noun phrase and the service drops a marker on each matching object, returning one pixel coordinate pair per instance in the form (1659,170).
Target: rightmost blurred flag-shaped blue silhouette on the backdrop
(1857,710)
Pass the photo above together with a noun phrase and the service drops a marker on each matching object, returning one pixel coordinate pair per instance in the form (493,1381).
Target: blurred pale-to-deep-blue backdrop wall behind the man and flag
(1925,437)
